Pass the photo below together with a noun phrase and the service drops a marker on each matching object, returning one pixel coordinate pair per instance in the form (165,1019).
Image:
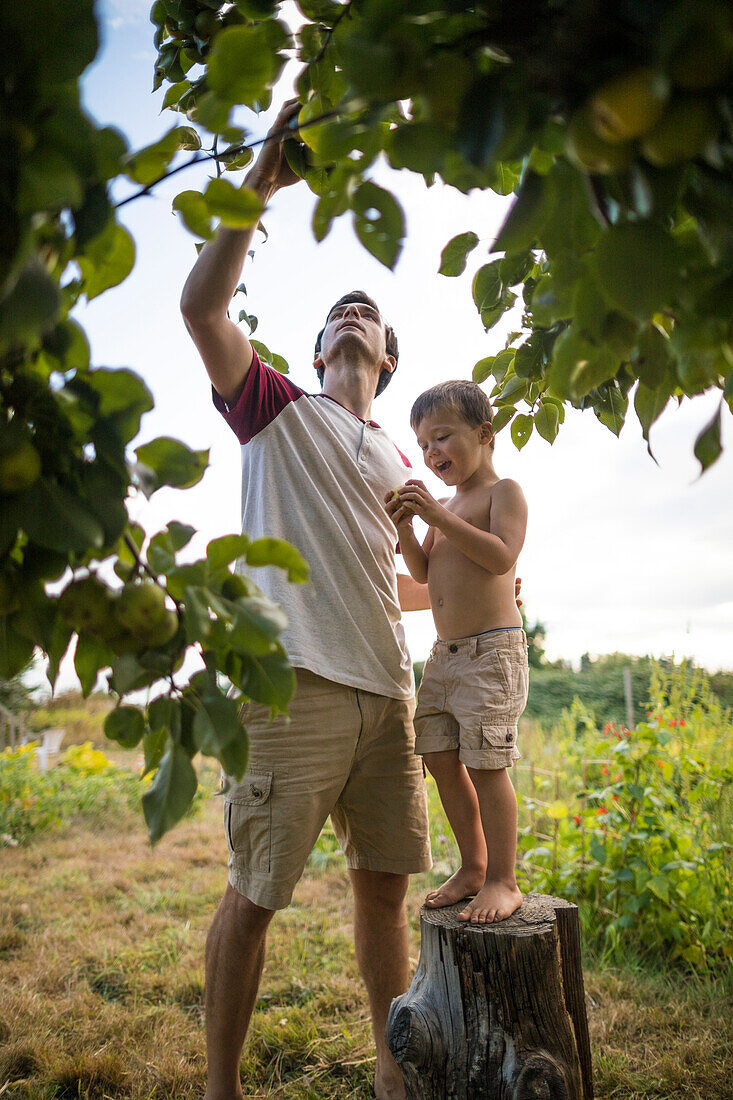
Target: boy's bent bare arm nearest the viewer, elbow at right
(496,551)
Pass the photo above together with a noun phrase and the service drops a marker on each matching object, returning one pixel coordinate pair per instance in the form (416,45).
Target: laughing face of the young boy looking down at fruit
(452,448)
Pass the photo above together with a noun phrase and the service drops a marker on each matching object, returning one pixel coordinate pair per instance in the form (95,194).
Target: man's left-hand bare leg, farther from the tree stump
(235,958)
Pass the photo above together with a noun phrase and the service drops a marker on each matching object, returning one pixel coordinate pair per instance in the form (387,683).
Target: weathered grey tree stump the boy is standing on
(496,1011)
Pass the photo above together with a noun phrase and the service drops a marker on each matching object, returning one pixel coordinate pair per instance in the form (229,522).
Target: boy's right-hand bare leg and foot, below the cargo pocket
(500,896)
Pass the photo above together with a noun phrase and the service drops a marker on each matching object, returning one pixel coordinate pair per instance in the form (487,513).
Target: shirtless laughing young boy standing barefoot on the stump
(475,684)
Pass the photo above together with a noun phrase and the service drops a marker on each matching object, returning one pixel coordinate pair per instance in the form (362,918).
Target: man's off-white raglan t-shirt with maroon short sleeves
(315,475)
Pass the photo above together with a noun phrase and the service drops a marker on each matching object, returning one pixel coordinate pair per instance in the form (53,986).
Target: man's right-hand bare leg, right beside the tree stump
(382,952)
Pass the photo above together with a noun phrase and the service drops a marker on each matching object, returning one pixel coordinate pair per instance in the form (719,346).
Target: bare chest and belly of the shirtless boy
(465,598)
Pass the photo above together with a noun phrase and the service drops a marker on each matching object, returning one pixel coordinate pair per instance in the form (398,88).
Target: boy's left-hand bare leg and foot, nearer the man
(462,806)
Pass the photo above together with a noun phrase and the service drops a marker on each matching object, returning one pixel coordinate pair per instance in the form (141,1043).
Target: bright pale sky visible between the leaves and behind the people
(621,554)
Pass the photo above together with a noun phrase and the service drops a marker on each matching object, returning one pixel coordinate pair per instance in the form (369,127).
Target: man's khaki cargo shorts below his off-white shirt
(346,753)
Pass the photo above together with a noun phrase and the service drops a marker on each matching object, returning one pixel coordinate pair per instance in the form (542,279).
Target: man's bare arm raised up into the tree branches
(226,351)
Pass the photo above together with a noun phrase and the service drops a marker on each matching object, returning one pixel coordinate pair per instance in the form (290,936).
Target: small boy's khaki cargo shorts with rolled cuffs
(472,696)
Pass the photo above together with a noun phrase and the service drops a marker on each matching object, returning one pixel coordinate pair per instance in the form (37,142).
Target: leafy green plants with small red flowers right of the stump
(644,843)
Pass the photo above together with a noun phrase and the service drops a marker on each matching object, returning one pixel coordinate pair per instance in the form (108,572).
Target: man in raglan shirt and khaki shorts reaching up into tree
(315,471)
